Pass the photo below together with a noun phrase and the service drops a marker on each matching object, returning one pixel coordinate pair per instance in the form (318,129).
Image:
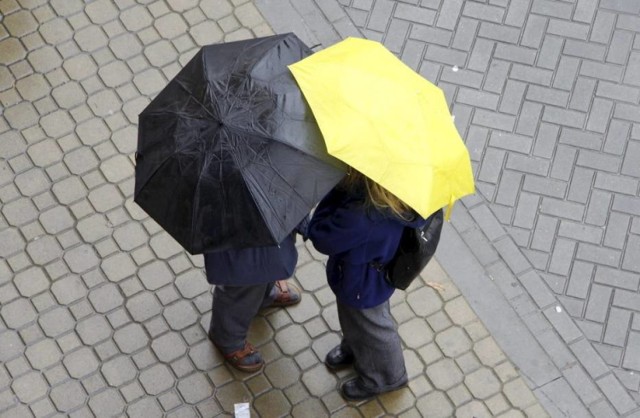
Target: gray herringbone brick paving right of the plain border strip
(546,95)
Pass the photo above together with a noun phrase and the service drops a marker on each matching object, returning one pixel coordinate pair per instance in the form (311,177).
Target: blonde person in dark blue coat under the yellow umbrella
(359,225)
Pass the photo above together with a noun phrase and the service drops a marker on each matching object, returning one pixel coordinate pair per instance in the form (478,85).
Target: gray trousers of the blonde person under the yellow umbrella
(371,335)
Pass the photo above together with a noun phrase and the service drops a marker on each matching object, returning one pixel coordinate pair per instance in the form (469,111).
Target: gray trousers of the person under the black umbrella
(232,310)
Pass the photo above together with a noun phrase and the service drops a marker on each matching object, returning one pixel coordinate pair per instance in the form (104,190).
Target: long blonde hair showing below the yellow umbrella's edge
(375,195)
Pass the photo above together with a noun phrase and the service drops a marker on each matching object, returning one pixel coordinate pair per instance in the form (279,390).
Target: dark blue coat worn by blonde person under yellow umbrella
(353,236)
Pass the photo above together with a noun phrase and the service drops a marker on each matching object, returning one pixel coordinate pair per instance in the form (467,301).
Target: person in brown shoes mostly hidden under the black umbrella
(248,280)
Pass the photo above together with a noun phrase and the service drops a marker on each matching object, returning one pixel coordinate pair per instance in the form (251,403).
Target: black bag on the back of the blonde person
(416,248)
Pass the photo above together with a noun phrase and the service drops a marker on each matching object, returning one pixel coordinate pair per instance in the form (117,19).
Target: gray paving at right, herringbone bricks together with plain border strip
(547,94)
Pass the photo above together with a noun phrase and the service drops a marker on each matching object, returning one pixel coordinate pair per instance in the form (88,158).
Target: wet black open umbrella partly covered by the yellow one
(229,154)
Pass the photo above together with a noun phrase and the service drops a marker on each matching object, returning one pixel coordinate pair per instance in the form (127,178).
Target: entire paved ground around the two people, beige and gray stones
(103,314)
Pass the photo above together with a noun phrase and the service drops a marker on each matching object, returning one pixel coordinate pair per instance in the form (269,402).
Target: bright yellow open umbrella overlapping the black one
(388,122)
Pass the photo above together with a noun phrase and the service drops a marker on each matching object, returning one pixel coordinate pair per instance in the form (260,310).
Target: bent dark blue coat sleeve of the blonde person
(338,224)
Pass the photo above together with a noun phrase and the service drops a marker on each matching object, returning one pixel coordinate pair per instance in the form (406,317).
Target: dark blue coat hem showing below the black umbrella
(252,265)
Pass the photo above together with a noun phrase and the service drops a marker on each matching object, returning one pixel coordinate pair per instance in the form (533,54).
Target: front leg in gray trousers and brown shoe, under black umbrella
(232,311)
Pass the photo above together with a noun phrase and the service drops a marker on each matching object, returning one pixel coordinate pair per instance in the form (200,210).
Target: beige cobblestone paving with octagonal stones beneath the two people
(102,314)
